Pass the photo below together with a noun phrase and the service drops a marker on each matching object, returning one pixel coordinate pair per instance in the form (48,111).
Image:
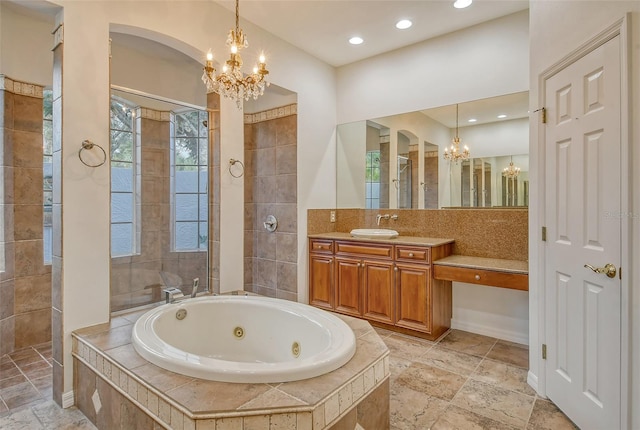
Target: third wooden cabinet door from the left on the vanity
(378,291)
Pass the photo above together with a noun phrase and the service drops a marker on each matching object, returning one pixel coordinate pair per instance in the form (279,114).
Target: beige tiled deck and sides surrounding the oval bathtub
(111,377)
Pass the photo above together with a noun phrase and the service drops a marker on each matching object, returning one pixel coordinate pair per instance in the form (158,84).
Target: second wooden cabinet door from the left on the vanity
(348,286)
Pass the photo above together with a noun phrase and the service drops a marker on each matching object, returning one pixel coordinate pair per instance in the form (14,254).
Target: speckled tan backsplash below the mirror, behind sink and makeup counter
(490,233)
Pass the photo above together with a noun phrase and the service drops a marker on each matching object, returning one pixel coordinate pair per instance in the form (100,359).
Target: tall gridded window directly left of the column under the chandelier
(189,146)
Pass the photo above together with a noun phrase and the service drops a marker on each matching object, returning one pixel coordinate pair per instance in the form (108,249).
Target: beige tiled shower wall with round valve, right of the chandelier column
(271,189)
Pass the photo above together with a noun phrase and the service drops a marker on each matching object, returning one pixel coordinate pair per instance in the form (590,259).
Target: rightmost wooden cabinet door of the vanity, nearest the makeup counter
(413,302)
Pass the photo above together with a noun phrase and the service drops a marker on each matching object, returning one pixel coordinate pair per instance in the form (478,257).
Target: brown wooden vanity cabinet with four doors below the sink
(389,285)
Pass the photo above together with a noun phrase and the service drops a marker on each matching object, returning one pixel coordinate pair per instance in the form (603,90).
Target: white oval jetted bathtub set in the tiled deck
(244,339)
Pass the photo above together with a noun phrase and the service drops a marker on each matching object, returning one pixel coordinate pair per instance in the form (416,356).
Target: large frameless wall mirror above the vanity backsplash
(397,161)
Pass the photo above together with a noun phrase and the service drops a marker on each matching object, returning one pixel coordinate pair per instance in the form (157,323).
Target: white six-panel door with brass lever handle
(583,219)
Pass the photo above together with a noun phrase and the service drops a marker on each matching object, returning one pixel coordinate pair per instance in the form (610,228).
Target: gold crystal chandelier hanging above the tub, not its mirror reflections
(231,83)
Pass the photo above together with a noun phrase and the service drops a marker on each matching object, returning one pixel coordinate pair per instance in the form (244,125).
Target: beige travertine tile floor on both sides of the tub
(464,381)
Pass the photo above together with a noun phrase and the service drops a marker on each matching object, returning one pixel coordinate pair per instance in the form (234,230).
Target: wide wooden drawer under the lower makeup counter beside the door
(515,281)
